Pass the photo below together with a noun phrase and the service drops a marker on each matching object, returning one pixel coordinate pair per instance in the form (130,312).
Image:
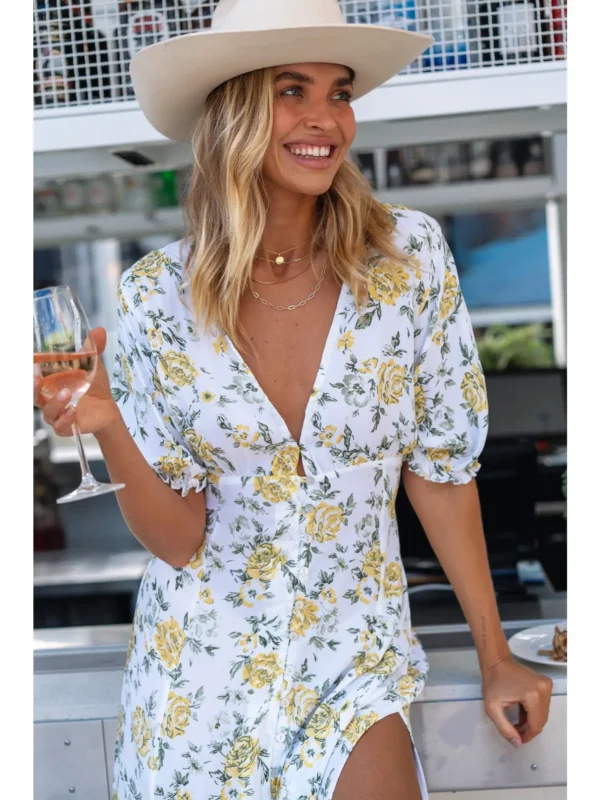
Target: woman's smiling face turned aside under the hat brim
(313,127)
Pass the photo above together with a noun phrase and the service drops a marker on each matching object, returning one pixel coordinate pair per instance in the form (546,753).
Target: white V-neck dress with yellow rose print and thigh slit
(253,671)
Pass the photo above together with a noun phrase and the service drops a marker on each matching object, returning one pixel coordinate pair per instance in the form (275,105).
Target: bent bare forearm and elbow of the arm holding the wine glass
(168,525)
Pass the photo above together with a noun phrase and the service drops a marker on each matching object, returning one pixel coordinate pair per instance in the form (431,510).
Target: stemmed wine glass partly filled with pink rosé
(65,357)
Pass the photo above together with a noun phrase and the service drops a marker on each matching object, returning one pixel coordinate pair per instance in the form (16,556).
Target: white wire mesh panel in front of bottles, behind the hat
(82,48)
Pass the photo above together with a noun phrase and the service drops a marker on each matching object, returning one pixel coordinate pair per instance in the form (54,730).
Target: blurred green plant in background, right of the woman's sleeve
(525,346)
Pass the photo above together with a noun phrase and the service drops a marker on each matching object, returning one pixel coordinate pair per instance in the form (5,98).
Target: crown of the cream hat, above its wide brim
(263,14)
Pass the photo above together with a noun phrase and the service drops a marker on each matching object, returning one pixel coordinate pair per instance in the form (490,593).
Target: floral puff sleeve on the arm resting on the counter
(451,406)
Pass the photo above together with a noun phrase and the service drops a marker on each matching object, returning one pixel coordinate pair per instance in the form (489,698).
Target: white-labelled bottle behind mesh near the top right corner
(512,31)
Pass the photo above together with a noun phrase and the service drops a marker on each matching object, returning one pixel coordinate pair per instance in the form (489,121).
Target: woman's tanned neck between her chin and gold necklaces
(291,222)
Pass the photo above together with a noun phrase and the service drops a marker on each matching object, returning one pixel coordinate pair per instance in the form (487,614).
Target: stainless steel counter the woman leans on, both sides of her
(77,683)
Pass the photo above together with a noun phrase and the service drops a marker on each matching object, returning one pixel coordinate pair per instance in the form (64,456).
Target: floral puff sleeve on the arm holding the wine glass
(137,391)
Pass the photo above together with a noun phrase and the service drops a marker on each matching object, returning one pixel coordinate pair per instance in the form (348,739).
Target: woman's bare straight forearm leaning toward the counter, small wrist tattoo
(451,517)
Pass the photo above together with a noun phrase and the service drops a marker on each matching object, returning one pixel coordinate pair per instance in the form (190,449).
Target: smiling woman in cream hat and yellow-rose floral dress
(272,653)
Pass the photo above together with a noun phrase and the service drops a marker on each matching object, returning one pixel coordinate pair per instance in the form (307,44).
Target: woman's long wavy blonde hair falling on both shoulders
(227,204)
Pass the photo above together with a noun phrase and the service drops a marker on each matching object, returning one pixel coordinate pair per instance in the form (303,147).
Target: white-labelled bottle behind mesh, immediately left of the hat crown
(142,23)
